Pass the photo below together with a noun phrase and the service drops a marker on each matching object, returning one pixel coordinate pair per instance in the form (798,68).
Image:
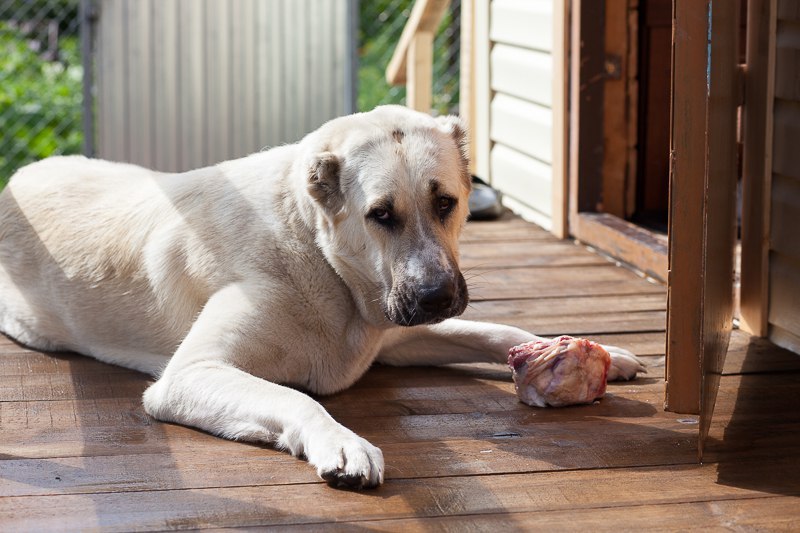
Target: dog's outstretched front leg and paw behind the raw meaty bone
(466,341)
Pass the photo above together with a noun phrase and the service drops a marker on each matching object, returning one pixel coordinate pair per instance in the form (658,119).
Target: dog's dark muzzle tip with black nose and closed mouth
(415,306)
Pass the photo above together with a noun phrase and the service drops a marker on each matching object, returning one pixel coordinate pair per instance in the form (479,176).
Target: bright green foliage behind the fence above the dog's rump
(40,102)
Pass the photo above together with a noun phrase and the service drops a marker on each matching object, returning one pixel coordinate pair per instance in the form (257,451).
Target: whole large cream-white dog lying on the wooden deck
(235,285)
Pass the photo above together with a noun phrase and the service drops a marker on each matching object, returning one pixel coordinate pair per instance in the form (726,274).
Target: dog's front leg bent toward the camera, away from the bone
(202,387)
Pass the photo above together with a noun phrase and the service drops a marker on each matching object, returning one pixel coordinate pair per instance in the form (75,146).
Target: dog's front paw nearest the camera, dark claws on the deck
(345,460)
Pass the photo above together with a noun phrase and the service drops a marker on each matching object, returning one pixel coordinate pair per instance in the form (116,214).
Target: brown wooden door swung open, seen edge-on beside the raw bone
(702,203)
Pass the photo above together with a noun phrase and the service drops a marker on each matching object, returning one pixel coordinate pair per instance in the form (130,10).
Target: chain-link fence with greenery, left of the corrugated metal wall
(40,82)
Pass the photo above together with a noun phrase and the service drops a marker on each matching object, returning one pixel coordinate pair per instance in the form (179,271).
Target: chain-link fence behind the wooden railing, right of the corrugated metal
(381,24)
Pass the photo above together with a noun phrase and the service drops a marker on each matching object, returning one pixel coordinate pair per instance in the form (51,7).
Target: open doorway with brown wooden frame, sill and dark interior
(619,151)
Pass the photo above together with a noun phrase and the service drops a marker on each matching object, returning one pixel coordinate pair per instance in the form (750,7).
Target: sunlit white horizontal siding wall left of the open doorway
(520,123)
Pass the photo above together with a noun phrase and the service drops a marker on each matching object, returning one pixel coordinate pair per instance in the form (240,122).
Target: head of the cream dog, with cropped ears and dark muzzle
(392,189)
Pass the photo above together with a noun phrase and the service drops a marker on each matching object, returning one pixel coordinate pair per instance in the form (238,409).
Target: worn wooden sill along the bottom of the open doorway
(627,242)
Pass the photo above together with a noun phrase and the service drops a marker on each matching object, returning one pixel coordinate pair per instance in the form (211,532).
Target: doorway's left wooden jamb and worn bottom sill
(643,249)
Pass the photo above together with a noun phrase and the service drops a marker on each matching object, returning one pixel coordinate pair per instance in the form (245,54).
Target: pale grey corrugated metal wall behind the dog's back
(186,83)
